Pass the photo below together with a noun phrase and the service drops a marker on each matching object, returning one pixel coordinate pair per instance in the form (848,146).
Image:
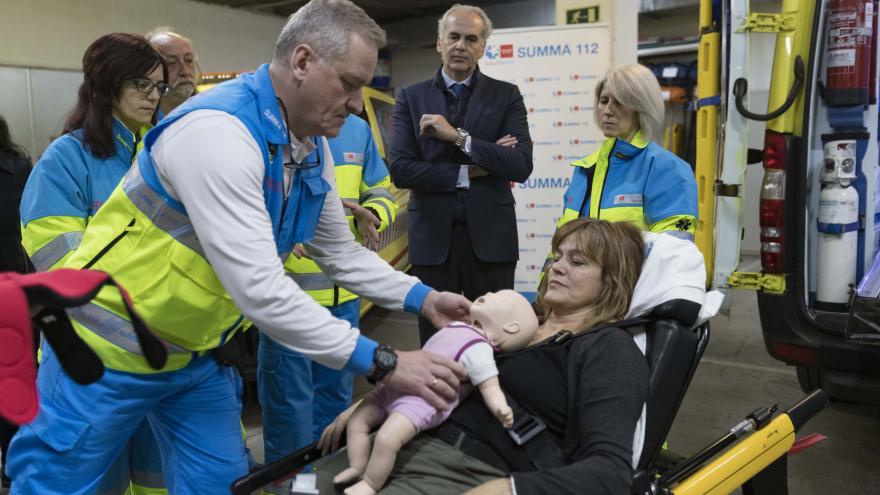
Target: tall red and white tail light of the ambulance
(772,207)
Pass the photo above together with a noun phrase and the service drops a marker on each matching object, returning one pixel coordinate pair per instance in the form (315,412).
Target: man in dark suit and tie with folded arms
(460,138)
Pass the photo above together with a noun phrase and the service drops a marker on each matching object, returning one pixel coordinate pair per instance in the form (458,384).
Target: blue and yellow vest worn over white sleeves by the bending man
(144,239)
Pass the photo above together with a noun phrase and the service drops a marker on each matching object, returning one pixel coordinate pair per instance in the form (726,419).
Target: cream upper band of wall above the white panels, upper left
(55,33)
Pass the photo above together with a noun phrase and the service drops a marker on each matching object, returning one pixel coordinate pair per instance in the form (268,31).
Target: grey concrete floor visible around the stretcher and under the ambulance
(735,377)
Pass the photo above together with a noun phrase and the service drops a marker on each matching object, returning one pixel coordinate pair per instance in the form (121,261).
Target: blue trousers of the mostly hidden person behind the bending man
(299,397)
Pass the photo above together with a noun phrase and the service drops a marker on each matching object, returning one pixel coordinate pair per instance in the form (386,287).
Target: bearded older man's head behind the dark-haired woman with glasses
(183,66)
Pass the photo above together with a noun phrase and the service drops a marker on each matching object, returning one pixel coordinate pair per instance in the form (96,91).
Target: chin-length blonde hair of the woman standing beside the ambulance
(635,87)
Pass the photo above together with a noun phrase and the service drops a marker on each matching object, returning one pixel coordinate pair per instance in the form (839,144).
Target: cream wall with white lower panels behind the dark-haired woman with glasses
(42,43)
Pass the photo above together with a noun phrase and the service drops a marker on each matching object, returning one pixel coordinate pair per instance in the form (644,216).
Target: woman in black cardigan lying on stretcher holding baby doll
(590,391)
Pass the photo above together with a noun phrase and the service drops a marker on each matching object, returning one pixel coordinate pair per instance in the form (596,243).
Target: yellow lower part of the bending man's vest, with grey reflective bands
(176,290)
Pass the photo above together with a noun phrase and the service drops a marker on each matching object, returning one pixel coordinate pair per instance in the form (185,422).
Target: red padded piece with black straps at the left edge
(43,297)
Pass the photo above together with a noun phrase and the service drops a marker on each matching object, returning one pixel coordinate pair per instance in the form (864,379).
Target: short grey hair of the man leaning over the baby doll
(326,26)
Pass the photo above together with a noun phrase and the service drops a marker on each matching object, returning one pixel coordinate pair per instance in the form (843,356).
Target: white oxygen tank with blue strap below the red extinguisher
(838,224)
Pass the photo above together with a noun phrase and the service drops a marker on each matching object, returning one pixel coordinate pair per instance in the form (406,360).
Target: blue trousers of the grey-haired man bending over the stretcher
(81,430)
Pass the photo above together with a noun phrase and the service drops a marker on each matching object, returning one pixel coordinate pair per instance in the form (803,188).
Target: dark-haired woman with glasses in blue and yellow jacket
(123,78)
